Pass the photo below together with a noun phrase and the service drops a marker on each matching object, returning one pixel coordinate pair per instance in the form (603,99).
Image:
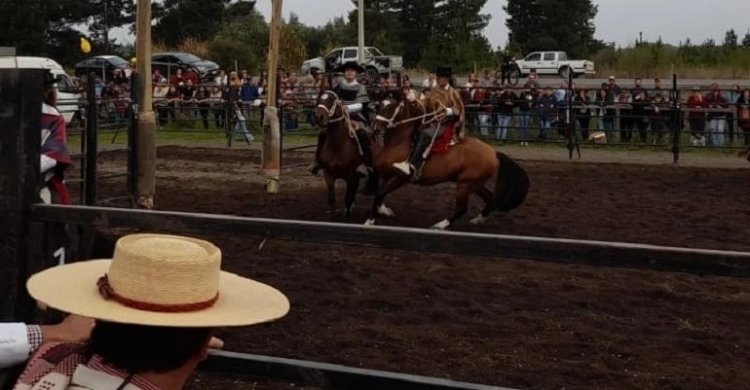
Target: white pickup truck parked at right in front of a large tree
(554,62)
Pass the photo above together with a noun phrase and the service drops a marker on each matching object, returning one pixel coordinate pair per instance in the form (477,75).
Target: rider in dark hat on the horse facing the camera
(354,97)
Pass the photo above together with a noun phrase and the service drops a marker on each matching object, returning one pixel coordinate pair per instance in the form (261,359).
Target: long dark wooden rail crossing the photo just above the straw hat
(554,250)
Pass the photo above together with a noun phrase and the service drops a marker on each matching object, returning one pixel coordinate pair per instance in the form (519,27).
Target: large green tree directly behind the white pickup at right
(553,25)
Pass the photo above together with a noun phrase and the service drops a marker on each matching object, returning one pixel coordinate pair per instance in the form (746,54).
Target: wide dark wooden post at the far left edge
(20,137)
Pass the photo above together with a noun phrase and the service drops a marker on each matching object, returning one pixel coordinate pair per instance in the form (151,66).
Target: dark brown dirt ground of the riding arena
(486,320)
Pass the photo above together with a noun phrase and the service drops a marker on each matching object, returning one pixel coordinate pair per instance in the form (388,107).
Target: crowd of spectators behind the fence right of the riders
(635,114)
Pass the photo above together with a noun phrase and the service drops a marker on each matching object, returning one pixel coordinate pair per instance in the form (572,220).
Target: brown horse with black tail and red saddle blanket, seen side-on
(470,164)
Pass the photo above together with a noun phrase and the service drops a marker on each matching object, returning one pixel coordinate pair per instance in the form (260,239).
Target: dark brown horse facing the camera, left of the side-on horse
(339,155)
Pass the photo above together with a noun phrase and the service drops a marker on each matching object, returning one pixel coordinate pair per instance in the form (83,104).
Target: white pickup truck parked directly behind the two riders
(376,63)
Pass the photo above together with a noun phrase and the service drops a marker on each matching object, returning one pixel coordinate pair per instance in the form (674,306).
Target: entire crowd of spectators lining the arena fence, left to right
(624,114)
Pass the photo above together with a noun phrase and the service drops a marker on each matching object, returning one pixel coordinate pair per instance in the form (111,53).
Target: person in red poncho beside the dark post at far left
(54,153)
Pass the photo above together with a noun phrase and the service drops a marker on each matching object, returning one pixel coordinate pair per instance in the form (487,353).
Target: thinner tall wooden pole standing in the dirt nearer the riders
(271,125)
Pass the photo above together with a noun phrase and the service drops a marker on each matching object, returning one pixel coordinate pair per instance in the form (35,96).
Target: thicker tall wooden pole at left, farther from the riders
(146,137)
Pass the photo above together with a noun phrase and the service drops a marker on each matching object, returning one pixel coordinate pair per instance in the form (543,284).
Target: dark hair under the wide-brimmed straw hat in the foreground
(138,348)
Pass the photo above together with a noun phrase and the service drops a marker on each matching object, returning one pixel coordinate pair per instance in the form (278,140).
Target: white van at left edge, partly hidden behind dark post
(68,97)
